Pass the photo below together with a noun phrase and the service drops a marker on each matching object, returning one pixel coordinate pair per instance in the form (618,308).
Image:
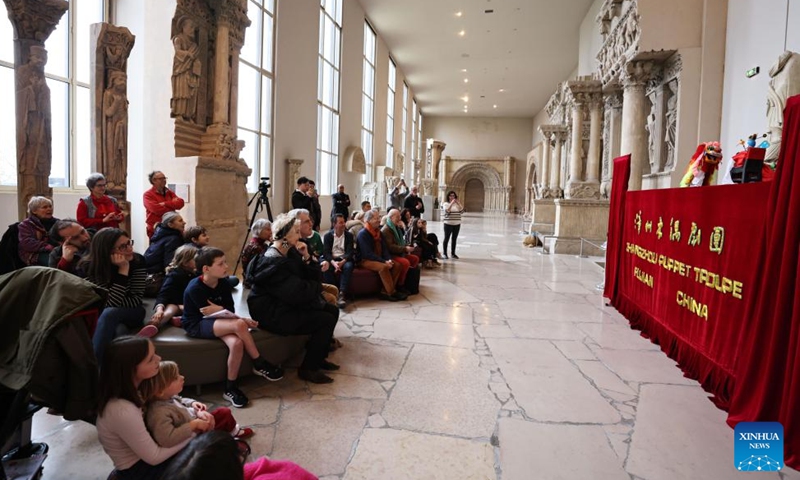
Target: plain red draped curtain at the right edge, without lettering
(768,367)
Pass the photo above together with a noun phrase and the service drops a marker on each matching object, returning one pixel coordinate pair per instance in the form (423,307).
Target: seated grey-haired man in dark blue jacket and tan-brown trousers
(375,256)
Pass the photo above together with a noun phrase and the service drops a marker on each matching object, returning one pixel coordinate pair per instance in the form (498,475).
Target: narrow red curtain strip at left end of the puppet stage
(619,187)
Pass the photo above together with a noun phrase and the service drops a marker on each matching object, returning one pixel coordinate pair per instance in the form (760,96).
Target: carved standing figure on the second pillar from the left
(115,134)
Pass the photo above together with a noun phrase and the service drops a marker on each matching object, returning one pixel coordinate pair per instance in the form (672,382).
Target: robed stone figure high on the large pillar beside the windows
(186,71)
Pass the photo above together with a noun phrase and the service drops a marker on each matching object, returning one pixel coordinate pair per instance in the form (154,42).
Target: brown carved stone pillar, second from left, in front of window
(110,47)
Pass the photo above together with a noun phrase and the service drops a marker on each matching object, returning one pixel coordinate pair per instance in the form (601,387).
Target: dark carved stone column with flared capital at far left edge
(33,22)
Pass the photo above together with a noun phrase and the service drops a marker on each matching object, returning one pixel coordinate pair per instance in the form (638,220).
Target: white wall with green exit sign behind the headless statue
(757,34)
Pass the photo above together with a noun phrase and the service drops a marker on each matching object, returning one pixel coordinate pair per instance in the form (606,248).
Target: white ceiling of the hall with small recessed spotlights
(525,47)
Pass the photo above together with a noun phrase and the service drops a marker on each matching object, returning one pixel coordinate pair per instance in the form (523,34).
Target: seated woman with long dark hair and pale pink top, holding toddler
(120,424)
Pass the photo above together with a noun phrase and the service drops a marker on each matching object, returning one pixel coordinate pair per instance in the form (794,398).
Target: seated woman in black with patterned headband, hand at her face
(286,298)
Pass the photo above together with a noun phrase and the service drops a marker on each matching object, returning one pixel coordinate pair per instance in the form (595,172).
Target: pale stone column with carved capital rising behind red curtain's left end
(634,118)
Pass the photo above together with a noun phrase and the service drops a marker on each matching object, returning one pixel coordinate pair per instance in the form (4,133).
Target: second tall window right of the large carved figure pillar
(330,35)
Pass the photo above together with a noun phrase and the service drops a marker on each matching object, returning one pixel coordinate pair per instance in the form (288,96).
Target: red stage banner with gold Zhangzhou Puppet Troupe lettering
(686,271)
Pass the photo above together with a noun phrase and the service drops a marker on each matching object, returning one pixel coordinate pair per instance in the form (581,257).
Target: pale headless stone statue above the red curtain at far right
(784,84)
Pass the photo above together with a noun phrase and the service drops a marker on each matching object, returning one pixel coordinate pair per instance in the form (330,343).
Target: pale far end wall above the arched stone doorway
(486,137)
